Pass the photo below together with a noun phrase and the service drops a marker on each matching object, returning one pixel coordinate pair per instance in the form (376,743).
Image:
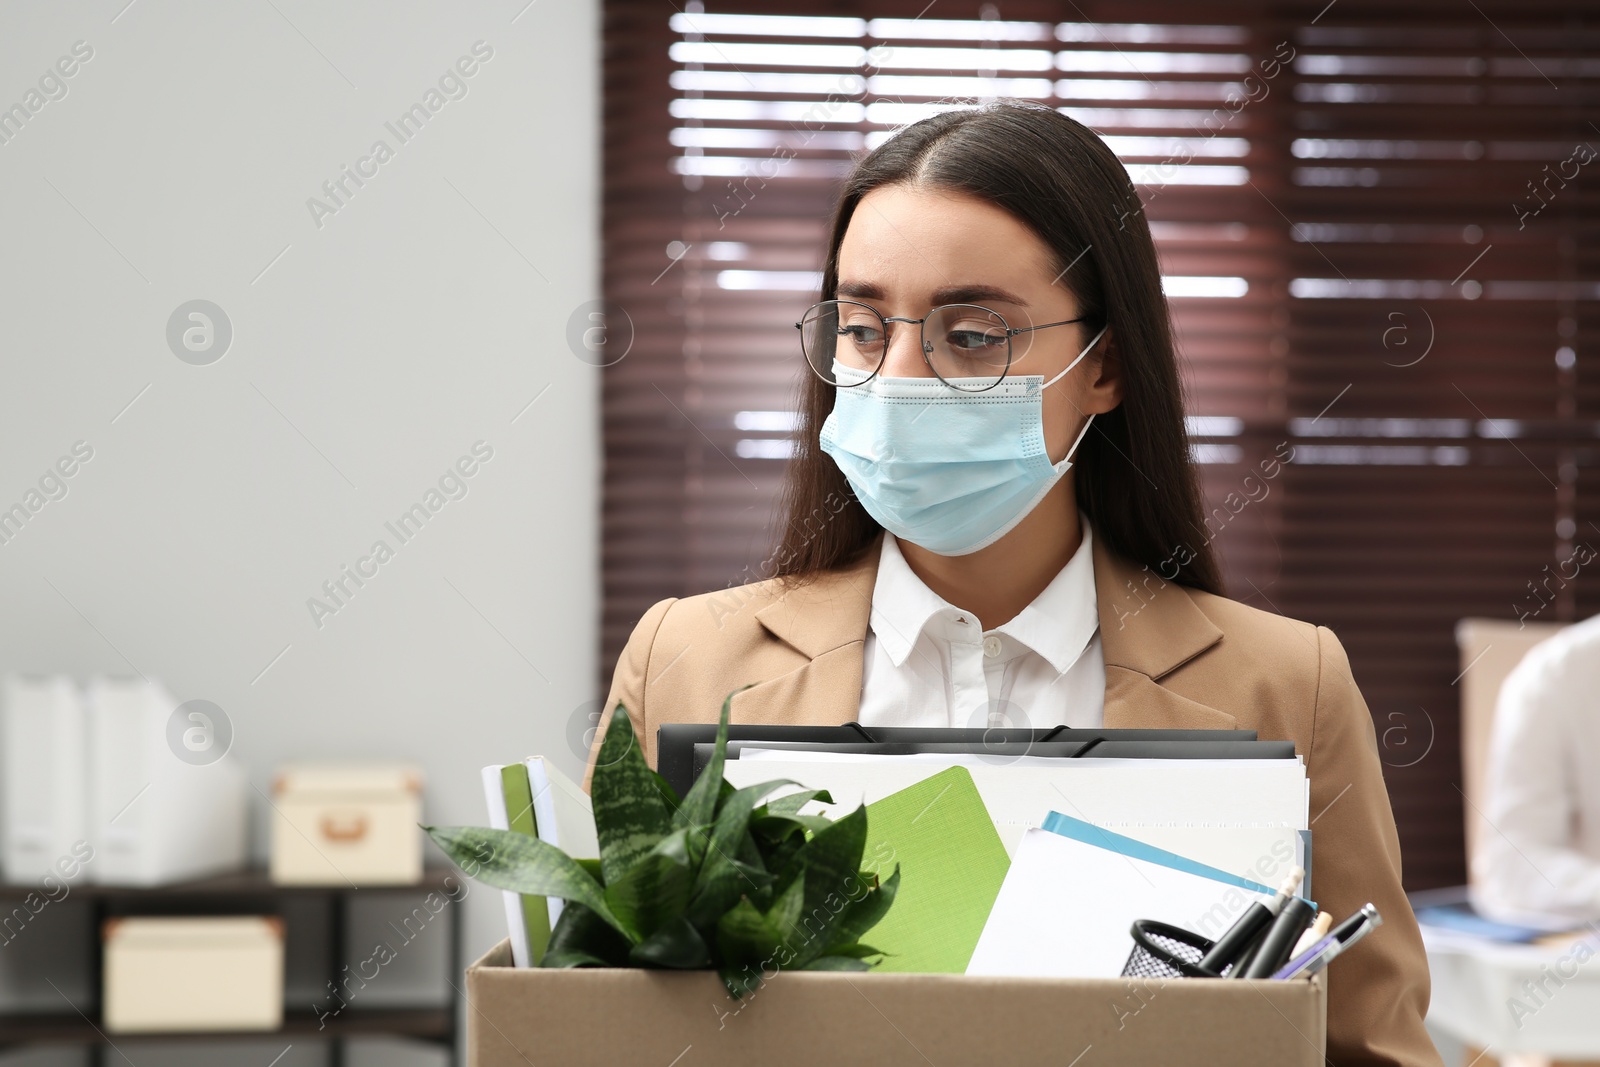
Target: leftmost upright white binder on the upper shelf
(44,769)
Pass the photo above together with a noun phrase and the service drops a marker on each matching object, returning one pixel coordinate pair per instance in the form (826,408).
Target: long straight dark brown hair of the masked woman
(1135,479)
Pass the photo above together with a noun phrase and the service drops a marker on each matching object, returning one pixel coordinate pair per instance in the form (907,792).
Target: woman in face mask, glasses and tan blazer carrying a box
(962,548)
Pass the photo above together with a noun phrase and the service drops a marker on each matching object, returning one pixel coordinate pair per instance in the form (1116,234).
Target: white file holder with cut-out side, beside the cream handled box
(154,817)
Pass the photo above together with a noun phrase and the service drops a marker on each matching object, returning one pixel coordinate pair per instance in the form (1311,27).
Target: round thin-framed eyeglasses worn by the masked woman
(969,348)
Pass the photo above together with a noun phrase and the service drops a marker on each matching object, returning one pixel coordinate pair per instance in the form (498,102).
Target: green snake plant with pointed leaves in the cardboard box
(718,881)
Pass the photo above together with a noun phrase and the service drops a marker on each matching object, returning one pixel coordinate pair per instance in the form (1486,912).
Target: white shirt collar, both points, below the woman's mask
(1058,625)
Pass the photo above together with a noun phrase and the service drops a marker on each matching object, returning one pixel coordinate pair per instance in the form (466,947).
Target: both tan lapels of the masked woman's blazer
(1148,629)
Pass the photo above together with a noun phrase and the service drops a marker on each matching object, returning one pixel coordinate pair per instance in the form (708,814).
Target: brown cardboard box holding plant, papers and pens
(802,1018)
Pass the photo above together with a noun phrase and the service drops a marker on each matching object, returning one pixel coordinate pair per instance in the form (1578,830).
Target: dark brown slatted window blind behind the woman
(1378,236)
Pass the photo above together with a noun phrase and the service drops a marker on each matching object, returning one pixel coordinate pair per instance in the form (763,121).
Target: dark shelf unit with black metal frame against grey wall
(239,893)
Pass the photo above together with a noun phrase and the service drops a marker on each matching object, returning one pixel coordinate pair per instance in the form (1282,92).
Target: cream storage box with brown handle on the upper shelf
(348,825)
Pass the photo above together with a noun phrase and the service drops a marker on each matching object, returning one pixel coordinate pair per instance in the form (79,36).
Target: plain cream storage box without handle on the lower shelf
(194,973)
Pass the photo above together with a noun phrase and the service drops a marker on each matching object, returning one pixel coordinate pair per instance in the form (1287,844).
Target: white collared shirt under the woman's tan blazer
(929,665)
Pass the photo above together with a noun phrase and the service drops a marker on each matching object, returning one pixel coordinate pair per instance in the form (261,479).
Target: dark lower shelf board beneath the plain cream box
(430,1025)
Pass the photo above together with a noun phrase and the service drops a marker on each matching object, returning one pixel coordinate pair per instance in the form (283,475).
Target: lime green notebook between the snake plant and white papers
(951,863)
